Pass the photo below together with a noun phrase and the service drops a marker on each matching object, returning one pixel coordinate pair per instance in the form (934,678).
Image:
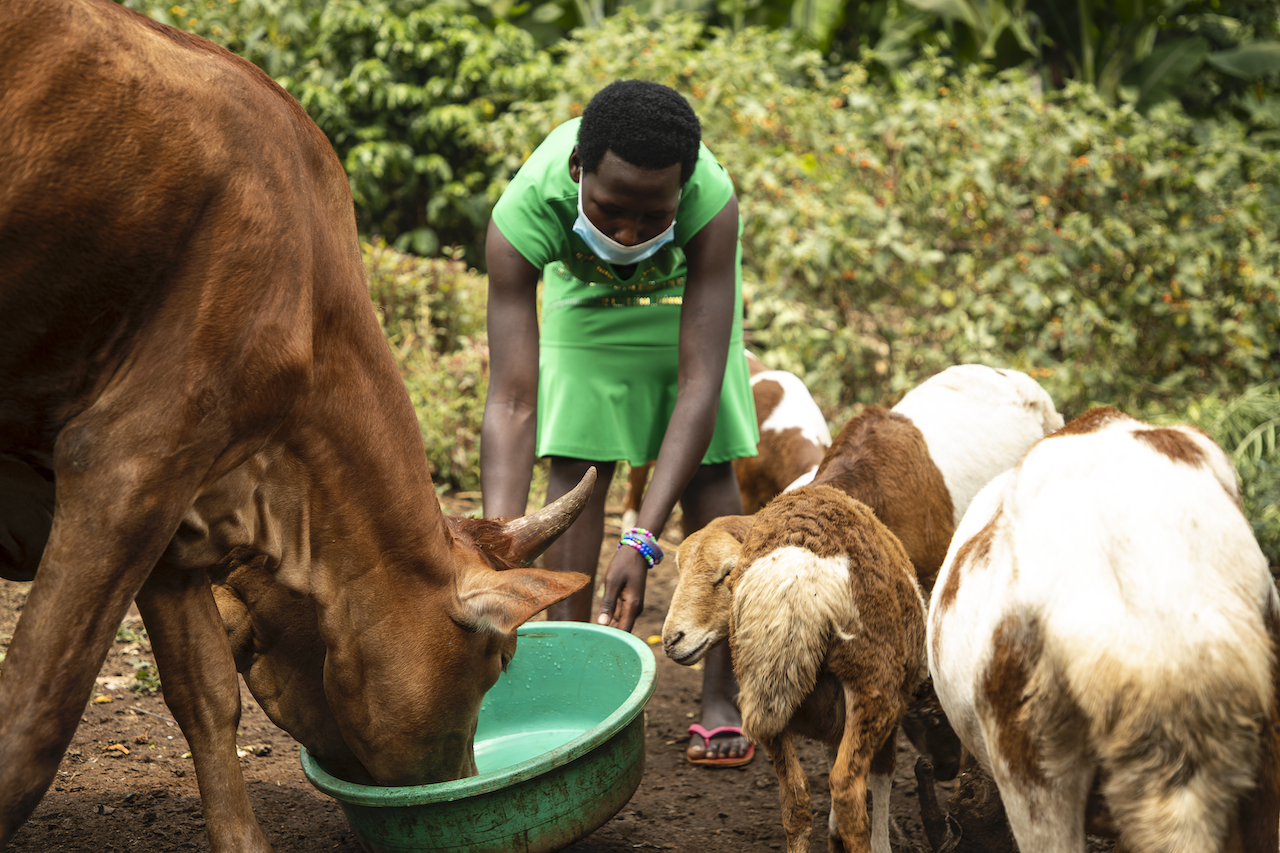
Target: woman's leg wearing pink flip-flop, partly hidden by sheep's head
(712,494)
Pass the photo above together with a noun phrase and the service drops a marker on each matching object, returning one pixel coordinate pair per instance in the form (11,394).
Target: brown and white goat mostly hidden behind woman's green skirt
(794,436)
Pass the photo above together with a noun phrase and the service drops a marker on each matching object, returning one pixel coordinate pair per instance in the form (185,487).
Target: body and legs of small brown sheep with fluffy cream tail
(828,636)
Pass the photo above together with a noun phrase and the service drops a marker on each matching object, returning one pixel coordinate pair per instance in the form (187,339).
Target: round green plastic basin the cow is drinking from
(560,747)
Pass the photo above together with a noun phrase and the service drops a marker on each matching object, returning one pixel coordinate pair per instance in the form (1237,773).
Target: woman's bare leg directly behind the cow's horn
(579,548)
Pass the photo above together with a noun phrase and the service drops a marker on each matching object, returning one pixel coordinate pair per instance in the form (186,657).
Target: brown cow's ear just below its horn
(504,601)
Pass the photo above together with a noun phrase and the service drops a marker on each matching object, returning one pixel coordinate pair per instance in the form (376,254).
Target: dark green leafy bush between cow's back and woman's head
(401,89)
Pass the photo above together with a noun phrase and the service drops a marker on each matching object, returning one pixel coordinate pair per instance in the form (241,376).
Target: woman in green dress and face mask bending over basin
(633,227)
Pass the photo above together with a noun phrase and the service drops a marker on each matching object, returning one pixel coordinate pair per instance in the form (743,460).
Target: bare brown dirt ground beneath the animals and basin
(129,784)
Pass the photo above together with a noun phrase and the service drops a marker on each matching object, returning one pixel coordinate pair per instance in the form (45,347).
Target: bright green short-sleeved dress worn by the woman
(609,349)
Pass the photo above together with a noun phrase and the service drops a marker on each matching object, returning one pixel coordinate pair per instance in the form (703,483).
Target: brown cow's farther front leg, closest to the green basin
(202,688)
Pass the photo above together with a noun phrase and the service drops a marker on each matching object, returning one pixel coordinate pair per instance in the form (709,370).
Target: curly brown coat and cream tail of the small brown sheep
(812,559)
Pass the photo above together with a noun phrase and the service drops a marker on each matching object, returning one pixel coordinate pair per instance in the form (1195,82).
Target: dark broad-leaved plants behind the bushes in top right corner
(1210,54)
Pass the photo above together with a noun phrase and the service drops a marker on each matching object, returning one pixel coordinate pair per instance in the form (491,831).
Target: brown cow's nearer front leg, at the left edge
(112,522)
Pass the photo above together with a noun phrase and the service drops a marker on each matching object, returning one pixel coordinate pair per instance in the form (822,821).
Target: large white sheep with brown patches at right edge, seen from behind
(1104,640)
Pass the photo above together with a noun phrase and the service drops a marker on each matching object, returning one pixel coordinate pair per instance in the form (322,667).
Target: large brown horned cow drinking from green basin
(191,370)
